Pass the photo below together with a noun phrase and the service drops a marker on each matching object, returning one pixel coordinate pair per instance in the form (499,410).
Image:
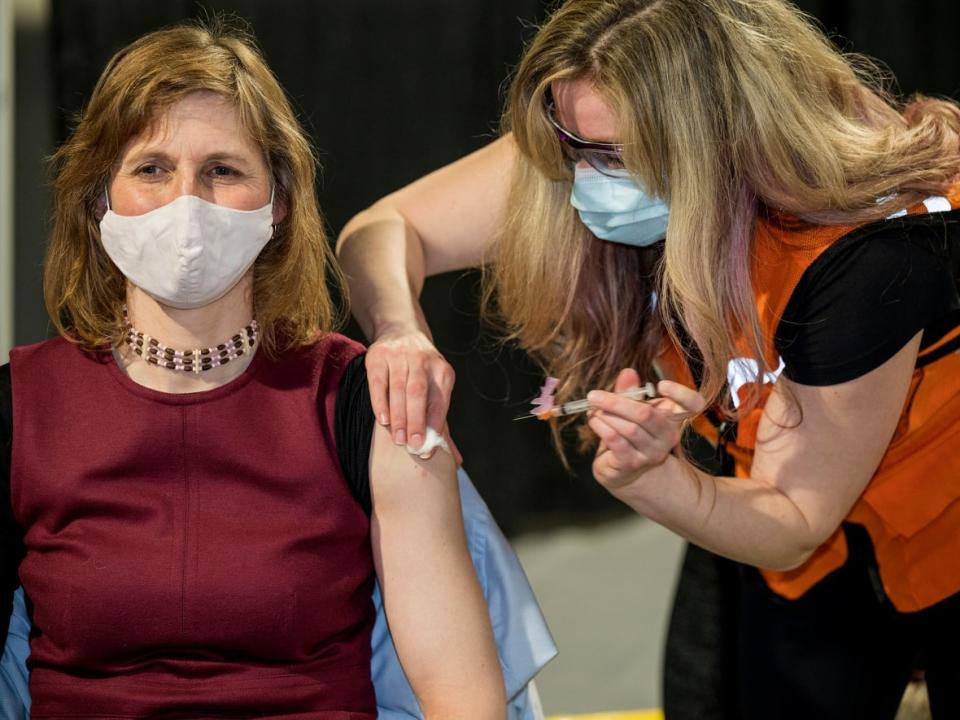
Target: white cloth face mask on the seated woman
(189,252)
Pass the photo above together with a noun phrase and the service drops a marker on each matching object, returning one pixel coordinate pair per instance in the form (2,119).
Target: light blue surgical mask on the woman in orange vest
(617,209)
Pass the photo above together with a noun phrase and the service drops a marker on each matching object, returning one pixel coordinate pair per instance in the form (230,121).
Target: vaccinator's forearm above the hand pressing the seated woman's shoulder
(383,260)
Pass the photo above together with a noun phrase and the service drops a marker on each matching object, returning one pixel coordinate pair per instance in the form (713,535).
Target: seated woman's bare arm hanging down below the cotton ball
(434,605)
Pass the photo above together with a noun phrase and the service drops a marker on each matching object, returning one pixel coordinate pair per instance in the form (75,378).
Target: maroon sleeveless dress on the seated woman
(195,555)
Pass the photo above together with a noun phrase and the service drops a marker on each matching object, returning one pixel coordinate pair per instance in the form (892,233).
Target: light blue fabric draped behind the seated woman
(523,640)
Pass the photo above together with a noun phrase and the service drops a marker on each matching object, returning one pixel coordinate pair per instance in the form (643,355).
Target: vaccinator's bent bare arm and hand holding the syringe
(807,472)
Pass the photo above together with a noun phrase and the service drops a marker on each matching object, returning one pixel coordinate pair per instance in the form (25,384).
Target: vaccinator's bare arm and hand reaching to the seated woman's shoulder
(443,221)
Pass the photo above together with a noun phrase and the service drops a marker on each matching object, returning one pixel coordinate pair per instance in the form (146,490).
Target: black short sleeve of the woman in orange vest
(868,294)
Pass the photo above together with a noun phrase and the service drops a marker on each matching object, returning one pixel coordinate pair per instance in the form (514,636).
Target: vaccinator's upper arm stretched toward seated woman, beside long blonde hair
(454,212)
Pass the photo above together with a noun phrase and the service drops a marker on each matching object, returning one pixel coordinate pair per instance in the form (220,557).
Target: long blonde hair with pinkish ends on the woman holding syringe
(724,106)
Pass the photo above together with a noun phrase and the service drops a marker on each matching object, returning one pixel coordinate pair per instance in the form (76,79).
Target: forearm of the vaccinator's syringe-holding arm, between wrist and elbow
(745,519)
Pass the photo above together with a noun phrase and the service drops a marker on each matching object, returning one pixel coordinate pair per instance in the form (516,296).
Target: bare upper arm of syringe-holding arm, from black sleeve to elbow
(821,445)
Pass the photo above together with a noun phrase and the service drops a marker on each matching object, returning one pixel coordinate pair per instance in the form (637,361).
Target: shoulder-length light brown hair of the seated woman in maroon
(83,289)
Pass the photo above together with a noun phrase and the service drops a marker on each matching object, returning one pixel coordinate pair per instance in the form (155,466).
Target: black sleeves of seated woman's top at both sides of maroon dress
(353,431)
